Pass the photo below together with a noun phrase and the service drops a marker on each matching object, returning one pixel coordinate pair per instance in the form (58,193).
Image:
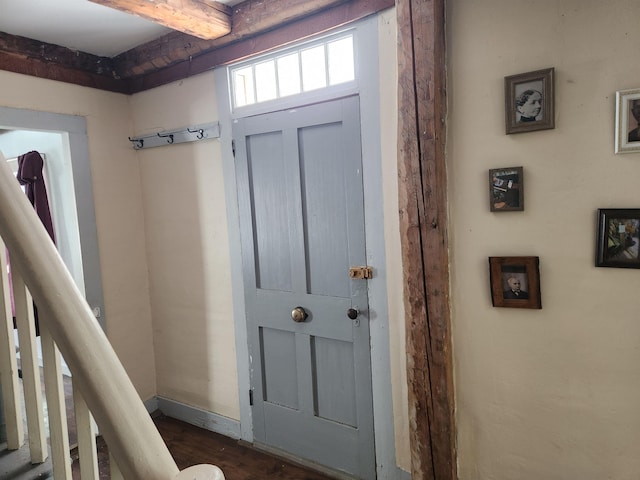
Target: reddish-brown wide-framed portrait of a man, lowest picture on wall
(515,282)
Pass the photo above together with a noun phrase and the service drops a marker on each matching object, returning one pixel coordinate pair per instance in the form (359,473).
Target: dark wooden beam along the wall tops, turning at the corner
(176,55)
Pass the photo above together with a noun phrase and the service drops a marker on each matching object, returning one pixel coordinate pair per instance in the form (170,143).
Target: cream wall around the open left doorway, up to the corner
(118,210)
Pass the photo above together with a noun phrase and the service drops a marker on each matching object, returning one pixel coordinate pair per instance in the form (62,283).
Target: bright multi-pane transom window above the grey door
(306,68)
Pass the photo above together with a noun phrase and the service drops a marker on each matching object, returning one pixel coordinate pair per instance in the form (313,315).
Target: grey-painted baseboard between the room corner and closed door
(196,416)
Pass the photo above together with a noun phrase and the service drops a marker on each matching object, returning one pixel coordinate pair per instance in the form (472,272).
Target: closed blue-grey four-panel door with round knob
(302,226)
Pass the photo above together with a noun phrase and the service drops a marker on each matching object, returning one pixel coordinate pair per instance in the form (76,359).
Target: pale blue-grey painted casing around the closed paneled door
(367,68)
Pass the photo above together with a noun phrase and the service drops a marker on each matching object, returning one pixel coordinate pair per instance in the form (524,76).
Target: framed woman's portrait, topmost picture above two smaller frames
(529,101)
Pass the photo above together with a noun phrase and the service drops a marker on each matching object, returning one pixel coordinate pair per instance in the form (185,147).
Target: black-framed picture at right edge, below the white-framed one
(618,238)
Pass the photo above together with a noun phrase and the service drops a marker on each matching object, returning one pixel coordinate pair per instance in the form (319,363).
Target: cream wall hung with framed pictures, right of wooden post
(551,393)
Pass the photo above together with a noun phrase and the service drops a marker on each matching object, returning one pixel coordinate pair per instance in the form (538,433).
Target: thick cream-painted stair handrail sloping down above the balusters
(97,372)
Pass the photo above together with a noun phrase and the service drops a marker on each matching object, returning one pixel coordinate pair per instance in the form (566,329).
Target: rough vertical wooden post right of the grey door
(422,113)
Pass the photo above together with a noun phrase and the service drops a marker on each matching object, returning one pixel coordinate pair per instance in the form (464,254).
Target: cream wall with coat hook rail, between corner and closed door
(188,250)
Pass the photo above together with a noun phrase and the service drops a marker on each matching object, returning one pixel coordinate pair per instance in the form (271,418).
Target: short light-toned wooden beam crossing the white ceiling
(204,19)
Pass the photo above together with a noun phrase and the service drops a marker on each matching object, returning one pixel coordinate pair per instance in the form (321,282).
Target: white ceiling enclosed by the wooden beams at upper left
(78,25)
